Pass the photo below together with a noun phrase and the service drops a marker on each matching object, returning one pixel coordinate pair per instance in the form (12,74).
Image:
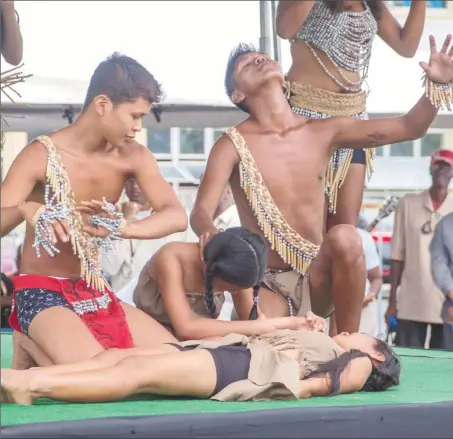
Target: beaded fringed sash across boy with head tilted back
(290,246)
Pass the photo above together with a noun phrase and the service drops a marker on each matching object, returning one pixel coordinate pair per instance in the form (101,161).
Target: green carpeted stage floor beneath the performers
(427,377)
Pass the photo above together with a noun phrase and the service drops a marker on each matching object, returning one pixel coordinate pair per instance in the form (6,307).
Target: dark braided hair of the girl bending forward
(239,257)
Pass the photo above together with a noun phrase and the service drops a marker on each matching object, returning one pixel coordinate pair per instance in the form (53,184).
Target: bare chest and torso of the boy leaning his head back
(293,168)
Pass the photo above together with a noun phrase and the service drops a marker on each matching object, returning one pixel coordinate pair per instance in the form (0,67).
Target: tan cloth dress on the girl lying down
(278,362)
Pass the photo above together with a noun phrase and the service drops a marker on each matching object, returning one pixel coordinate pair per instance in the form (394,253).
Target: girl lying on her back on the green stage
(286,364)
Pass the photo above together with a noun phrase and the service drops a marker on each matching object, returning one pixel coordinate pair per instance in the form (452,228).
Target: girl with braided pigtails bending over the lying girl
(185,292)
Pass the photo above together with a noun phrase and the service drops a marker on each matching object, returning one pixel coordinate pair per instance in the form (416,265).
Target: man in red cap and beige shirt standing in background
(420,301)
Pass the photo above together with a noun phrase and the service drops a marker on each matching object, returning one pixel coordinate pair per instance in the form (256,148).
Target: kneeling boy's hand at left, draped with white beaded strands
(50,224)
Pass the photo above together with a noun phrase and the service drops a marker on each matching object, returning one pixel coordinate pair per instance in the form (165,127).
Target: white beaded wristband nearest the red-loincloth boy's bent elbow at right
(114,223)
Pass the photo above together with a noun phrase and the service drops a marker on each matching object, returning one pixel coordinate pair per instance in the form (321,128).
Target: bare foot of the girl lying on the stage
(15,387)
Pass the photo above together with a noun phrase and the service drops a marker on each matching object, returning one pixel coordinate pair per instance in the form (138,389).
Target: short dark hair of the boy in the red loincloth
(123,79)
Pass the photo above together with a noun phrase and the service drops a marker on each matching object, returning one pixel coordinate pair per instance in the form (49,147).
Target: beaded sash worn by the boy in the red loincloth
(83,245)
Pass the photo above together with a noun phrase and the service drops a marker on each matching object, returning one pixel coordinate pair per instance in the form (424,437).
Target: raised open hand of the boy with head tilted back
(440,66)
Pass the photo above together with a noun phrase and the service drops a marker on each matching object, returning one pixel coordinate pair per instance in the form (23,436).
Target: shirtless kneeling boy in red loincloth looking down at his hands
(62,302)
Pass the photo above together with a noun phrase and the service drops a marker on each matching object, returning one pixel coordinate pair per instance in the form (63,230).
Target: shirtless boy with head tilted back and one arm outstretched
(275,162)
